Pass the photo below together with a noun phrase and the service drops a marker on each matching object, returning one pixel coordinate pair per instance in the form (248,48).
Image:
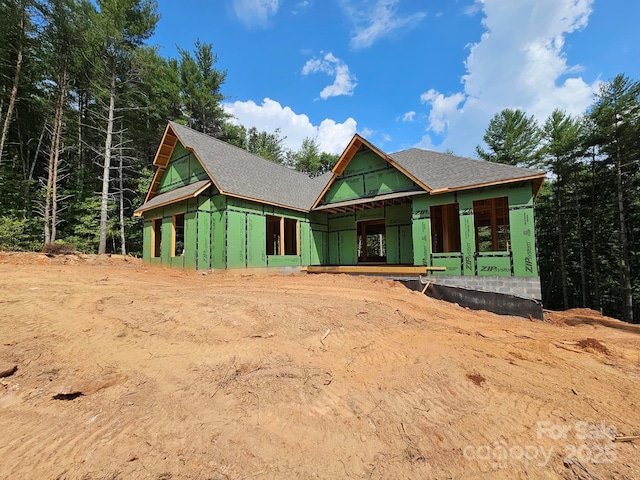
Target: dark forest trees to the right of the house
(588,212)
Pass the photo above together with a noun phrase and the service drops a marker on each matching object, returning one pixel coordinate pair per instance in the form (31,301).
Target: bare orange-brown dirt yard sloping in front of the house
(129,372)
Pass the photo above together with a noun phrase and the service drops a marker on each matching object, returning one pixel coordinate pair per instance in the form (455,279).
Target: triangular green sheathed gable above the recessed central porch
(367,175)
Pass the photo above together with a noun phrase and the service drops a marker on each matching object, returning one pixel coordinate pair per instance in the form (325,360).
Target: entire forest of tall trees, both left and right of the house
(84,100)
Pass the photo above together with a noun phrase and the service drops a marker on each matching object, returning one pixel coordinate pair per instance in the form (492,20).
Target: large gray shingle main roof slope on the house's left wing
(243,174)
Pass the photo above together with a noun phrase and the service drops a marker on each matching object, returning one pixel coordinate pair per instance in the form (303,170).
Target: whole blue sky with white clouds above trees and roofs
(404,73)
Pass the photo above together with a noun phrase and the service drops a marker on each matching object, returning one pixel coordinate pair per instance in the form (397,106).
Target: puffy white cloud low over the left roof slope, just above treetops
(332,137)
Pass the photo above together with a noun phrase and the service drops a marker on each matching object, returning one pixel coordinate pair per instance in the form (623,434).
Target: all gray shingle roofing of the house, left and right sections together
(242,174)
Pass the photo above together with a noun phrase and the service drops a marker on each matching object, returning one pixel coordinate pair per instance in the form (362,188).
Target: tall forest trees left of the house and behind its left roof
(84,101)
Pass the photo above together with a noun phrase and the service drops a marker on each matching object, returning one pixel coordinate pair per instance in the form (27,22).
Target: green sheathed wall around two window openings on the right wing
(520,261)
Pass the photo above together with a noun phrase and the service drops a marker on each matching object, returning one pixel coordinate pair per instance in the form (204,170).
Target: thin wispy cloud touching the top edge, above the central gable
(375,19)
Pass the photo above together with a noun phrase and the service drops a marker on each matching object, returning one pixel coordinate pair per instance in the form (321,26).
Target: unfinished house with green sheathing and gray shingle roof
(468,223)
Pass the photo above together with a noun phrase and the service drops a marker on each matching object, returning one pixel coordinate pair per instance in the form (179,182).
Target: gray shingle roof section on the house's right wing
(443,171)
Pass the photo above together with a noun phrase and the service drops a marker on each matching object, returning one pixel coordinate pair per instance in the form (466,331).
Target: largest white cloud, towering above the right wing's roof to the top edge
(519,62)
